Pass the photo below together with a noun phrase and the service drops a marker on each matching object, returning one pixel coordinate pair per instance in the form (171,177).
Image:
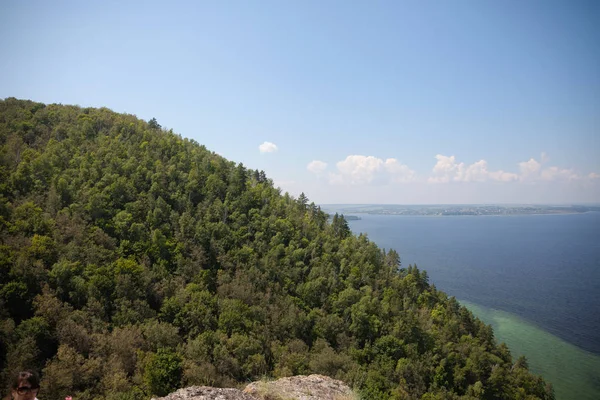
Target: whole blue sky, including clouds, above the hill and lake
(399,102)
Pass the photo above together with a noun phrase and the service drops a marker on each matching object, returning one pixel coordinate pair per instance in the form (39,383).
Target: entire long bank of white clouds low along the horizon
(531,181)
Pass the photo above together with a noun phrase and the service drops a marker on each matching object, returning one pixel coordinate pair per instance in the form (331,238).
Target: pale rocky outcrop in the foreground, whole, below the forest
(312,387)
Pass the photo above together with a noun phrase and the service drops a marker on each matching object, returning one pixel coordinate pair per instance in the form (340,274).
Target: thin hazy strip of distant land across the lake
(457,209)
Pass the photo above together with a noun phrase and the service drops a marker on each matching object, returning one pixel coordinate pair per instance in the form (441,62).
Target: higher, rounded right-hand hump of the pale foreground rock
(311,387)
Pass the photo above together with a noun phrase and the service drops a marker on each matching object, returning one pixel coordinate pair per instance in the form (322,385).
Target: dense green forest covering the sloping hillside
(134,262)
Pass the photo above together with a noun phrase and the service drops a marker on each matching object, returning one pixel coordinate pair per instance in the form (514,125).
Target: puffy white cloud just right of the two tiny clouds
(362,170)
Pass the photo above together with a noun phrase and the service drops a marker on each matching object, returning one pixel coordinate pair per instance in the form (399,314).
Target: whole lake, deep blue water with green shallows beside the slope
(543,270)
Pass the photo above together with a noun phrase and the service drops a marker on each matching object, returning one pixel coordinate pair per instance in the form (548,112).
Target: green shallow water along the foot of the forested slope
(574,373)
